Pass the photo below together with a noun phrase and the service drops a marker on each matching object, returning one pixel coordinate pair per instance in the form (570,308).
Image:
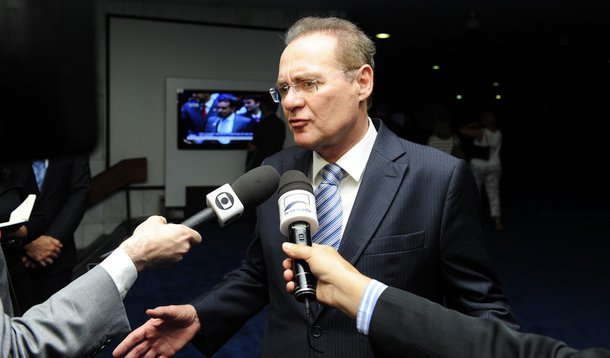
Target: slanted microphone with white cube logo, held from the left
(227,202)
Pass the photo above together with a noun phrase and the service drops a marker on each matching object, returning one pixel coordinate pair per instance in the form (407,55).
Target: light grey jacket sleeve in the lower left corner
(72,323)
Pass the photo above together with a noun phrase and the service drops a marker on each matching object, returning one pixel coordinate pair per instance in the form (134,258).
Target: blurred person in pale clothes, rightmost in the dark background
(485,160)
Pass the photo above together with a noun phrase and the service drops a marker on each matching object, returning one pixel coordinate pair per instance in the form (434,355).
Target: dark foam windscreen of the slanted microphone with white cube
(256,185)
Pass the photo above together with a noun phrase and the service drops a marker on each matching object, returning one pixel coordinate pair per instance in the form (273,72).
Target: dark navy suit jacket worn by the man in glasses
(414,225)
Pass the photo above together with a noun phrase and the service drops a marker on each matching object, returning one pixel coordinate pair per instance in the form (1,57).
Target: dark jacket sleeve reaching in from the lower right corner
(404,324)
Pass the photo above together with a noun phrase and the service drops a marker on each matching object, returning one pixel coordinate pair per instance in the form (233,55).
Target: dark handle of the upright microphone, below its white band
(305,281)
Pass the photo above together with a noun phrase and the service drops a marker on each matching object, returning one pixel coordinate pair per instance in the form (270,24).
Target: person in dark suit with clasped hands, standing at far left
(49,251)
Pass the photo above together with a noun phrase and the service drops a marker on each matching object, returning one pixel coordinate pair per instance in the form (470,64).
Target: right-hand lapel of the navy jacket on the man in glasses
(382,177)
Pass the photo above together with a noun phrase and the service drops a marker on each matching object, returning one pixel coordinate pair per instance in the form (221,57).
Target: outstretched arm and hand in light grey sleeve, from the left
(89,310)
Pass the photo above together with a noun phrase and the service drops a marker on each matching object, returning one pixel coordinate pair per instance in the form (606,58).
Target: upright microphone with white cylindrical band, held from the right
(298,220)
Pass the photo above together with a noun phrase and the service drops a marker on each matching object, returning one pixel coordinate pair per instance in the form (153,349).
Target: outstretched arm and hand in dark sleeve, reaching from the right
(405,325)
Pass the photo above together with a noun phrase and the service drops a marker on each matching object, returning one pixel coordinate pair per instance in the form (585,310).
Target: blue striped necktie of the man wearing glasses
(328,206)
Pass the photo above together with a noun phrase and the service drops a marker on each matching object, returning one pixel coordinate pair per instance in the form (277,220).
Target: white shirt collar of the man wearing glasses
(354,161)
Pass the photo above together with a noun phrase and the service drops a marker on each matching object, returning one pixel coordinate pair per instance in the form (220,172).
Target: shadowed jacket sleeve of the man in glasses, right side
(471,284)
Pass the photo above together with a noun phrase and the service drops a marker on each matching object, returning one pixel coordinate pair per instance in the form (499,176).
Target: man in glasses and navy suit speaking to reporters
(410,214)
